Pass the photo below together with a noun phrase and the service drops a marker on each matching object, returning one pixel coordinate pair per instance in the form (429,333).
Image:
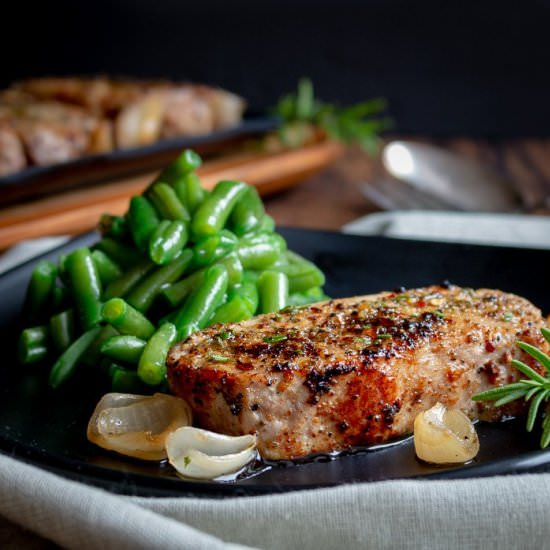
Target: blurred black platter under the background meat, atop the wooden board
(41,180)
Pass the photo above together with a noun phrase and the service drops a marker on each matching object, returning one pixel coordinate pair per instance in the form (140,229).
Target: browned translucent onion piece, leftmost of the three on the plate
(137,425)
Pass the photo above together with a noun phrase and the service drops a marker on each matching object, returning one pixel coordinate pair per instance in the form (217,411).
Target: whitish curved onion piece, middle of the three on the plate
(201,454)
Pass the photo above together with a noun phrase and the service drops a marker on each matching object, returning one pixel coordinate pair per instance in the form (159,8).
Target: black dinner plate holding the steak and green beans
(47,428)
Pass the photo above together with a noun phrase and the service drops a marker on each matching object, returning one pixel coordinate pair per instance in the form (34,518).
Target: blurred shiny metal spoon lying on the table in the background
(461,183)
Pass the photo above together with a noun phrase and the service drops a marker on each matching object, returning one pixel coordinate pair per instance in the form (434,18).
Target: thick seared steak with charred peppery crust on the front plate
(356,371)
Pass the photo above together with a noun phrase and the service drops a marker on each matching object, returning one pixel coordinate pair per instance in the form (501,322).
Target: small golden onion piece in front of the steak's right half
(445,436)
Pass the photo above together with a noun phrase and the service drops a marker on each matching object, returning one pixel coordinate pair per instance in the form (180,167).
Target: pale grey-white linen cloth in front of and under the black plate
(499,512)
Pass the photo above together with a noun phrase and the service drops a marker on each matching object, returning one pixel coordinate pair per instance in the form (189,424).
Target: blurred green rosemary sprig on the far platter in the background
(301,113)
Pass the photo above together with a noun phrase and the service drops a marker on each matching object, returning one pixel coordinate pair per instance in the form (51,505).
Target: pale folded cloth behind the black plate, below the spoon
(465,227)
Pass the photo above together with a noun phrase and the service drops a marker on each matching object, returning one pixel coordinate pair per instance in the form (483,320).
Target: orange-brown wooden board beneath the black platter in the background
(79,210)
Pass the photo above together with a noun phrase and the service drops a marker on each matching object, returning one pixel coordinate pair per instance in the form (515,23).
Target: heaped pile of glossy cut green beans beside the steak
(181,259)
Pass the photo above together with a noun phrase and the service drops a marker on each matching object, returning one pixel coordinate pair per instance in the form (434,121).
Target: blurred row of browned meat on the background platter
(57,119)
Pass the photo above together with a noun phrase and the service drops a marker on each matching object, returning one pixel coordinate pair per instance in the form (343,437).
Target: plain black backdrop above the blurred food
(479,68)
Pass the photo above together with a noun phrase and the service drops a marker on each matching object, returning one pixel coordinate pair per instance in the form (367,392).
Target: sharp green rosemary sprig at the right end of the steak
(534,388)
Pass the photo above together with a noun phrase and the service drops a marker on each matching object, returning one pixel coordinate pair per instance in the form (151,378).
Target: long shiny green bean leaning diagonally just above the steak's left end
(202,303)
